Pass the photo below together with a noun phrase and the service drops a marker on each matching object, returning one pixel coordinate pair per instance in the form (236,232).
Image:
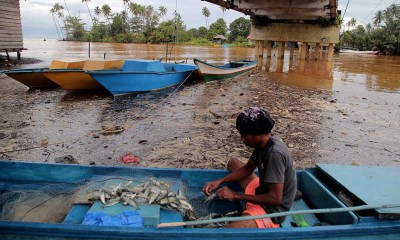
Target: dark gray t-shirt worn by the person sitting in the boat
(275,165)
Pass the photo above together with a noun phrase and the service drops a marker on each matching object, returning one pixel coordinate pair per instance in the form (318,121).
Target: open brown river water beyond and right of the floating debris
(362,124)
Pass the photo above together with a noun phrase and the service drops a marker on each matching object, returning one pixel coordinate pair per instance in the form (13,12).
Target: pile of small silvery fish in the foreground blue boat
(149,192)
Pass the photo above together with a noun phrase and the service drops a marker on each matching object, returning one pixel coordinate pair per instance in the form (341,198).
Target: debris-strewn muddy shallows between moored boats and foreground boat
(189,127)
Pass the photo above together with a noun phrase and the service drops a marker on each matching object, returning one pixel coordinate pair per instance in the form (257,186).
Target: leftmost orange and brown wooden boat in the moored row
(35,77)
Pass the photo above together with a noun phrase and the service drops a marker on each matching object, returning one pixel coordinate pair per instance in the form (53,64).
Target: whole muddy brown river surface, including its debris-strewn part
(345,111)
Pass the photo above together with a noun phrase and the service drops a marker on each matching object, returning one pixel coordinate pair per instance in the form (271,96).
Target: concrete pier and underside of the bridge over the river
(306,22)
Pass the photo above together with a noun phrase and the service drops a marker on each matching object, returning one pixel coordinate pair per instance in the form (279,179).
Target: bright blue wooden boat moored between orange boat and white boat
(139,75)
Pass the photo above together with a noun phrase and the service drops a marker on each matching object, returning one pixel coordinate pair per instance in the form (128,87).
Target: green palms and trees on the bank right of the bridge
(382,36)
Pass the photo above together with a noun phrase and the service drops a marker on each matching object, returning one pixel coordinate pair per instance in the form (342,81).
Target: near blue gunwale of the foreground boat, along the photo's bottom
(89,231)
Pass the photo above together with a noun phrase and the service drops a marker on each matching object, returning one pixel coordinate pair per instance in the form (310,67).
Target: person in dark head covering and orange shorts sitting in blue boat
(275,188)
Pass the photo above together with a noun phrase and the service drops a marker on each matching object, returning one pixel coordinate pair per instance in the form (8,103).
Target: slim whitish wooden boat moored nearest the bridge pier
(212,72)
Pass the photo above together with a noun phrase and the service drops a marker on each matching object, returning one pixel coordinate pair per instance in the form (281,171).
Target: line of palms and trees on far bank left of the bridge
(144,24)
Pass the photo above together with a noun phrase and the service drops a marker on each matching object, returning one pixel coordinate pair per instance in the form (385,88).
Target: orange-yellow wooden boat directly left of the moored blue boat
(78,79)
